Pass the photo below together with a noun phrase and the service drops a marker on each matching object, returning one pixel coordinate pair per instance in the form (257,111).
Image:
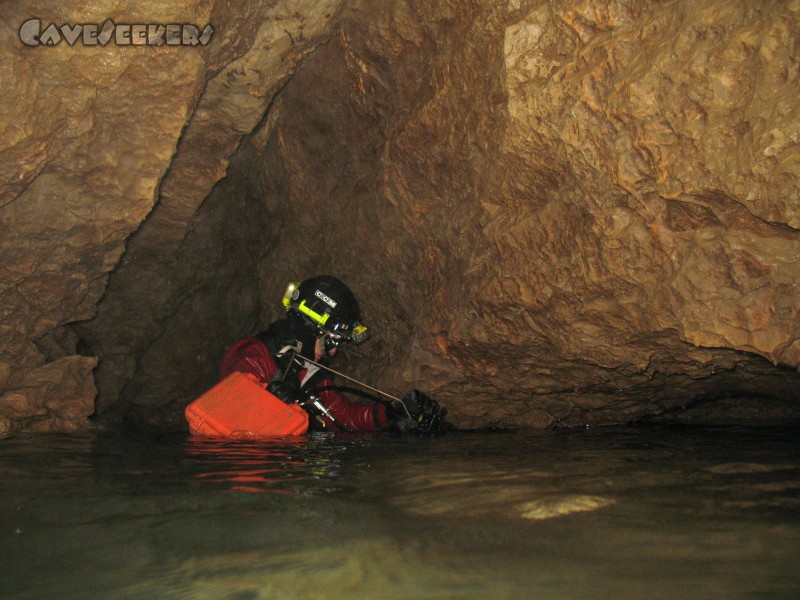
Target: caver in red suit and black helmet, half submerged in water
(322,316)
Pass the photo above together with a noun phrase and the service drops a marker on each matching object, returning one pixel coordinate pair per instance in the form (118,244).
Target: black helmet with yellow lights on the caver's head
(329,305)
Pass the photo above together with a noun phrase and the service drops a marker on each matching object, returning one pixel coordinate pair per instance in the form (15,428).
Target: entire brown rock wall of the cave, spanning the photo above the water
(574,214)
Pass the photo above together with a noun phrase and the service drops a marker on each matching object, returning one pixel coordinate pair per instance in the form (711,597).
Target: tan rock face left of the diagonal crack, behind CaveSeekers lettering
(83,153)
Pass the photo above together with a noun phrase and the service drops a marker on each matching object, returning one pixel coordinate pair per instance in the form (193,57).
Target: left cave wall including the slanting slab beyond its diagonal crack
(108,153)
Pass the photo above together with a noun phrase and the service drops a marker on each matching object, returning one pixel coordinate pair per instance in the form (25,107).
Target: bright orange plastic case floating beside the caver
(239,407)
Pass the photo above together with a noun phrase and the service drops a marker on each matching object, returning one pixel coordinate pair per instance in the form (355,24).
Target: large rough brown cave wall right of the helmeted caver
(555,215)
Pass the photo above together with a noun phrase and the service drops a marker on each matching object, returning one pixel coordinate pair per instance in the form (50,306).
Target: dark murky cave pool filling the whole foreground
(623,513)
